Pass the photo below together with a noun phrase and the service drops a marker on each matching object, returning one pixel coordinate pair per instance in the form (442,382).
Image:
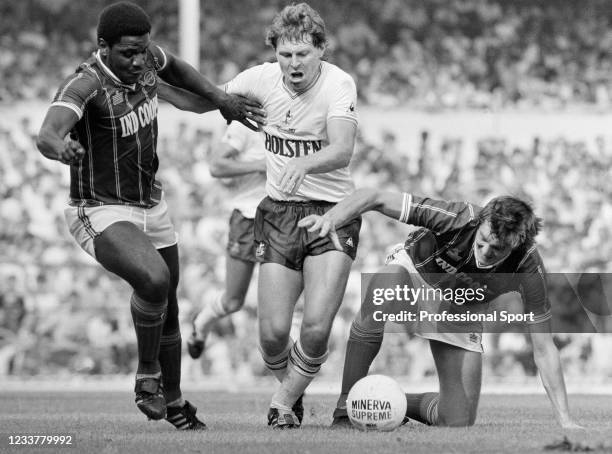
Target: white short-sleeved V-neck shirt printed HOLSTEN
(297,124)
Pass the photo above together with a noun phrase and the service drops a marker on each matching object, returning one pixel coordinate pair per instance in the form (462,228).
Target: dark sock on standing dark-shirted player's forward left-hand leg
(148,321)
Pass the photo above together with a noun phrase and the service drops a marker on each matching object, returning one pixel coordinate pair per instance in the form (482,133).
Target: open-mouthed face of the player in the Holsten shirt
(300,62)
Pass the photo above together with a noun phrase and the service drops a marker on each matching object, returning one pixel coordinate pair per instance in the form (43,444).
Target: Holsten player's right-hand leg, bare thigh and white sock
(325,278)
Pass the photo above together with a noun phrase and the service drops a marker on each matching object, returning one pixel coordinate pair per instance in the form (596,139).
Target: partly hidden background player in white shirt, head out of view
(240,156)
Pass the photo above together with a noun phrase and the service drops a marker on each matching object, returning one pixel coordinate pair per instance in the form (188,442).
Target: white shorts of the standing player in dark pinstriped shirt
(86,223)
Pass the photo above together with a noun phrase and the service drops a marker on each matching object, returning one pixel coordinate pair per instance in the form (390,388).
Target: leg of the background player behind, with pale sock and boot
(238,275)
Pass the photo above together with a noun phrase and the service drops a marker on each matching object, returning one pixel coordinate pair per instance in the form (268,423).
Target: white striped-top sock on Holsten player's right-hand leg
(302,369)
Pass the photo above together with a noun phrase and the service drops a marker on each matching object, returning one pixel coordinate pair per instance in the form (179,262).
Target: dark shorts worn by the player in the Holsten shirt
(280,240)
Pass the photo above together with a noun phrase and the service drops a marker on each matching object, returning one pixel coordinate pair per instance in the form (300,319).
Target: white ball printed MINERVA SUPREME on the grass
(376,402)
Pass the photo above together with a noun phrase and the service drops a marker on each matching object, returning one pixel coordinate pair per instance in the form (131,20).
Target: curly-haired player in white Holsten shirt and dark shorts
(309,139)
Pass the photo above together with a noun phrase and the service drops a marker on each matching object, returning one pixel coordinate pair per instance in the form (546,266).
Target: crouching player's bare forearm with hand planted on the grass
(546,357)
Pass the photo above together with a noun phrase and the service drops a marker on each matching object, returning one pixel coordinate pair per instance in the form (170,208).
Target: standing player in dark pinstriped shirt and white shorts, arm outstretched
(117,212)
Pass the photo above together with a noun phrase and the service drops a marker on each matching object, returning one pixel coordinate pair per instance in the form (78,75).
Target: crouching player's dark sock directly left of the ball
(361,349)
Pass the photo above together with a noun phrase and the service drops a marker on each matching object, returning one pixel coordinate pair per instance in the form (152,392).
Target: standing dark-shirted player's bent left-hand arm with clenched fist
(50,140)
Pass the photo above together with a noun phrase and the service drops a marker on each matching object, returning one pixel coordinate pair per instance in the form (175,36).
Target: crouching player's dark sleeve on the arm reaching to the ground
(534,287)
